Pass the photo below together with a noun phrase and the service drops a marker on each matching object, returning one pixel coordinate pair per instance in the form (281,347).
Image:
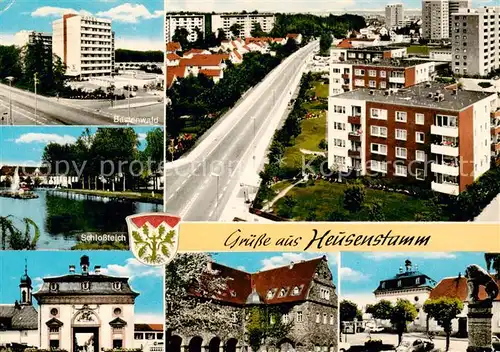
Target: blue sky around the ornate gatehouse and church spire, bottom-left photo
(146,280)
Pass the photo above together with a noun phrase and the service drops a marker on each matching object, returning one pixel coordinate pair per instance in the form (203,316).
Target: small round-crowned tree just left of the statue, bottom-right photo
(444,310)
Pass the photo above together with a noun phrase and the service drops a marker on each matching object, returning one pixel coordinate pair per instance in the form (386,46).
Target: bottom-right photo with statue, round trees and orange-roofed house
(428,301)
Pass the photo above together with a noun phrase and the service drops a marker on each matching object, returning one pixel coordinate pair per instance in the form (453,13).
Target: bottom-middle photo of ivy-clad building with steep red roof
(252,302)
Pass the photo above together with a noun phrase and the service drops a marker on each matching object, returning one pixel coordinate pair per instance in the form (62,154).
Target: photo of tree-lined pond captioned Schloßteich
(72,187)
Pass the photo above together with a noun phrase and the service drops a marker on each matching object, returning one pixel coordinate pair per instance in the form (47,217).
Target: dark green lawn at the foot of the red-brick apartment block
(318,201)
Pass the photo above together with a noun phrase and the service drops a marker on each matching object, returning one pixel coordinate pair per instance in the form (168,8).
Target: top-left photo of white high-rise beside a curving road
(81,63)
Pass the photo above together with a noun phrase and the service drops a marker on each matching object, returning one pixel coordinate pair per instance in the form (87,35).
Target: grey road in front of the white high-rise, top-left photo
(52,111)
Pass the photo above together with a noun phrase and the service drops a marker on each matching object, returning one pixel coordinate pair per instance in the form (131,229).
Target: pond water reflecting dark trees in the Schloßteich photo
(61,217)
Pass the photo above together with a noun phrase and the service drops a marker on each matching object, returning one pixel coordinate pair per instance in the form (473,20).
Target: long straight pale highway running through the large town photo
(199,186)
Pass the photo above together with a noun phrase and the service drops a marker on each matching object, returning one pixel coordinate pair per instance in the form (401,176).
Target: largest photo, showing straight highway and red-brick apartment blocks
(358,111)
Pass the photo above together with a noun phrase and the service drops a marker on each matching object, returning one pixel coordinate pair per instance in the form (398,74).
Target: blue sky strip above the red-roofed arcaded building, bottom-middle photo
(257,261)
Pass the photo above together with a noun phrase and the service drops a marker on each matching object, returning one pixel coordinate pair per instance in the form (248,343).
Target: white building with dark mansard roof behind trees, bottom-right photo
(410,284)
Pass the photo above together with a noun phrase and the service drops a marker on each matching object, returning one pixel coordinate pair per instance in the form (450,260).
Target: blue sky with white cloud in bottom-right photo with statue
(361,272)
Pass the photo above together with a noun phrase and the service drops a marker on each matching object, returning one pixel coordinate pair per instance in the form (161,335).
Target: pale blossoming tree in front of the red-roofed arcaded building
(185,274)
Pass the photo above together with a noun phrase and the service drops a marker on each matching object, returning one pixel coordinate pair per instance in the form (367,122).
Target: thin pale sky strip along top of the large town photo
(313,6)
